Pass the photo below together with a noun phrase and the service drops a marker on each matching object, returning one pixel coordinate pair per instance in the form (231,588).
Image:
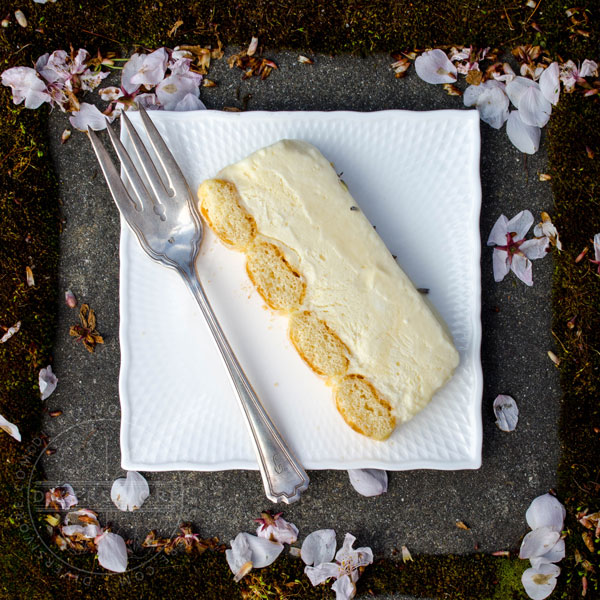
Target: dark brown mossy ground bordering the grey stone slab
(30,230)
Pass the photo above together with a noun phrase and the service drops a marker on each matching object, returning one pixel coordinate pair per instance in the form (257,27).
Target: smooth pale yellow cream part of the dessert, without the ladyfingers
(352,280)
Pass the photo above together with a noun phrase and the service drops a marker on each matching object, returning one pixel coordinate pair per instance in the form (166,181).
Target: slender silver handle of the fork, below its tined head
(283,476)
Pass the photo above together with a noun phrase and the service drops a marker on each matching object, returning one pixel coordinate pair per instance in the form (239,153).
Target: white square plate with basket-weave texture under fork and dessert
(416,177)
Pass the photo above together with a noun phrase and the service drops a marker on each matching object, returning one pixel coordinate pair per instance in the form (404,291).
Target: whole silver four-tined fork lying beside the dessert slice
(169,229)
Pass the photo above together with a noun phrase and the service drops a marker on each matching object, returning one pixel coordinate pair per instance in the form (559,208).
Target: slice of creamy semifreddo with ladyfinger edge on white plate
(356,319)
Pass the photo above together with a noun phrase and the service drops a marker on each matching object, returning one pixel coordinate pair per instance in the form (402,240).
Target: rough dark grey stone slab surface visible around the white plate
(421,508)
